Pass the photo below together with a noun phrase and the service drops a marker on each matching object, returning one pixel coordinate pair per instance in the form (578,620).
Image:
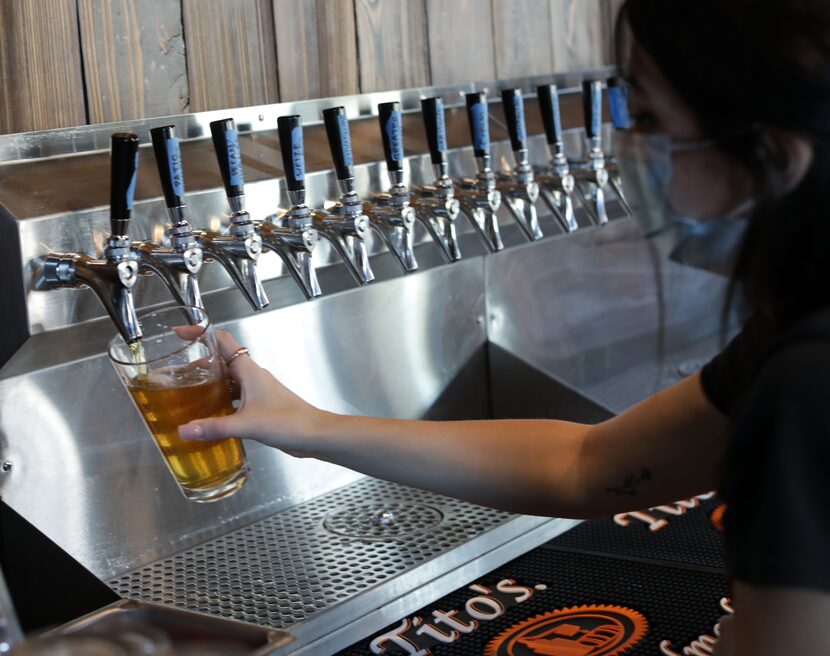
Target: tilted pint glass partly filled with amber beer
(174,374)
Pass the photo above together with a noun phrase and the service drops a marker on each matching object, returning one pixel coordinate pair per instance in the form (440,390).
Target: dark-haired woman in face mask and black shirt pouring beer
(739,91)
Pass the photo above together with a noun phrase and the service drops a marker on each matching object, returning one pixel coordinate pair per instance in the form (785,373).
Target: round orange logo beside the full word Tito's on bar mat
(578,631)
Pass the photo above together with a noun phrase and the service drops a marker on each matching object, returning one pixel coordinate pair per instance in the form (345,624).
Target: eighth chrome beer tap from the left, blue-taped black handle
(480,200)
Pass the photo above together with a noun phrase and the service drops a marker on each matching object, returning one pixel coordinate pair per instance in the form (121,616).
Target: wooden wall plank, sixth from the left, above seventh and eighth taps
(461,41)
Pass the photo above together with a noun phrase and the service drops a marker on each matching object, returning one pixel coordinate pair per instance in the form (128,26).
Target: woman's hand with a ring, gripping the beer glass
(269,412)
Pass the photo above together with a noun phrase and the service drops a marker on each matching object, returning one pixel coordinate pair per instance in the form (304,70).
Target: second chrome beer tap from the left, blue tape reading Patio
(179,265)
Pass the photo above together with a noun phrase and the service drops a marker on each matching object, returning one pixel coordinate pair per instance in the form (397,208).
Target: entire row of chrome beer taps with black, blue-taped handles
(293,234)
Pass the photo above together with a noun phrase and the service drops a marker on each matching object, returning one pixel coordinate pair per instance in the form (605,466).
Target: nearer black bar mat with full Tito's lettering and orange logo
(558,603)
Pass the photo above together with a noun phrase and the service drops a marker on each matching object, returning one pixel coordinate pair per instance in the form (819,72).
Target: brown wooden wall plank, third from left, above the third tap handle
(231,53)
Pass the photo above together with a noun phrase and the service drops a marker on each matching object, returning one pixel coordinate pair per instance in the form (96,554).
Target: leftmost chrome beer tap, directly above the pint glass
(113,276)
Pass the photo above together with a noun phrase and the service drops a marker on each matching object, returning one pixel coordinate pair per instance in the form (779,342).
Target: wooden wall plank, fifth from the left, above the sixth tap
(392,44)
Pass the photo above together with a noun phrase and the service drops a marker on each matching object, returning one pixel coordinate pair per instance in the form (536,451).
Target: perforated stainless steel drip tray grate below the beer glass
(285,568)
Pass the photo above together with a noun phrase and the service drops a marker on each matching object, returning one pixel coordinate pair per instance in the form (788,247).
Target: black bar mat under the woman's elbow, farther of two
(676,534)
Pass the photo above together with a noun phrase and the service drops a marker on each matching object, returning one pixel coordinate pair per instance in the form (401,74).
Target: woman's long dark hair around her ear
(743,67)
